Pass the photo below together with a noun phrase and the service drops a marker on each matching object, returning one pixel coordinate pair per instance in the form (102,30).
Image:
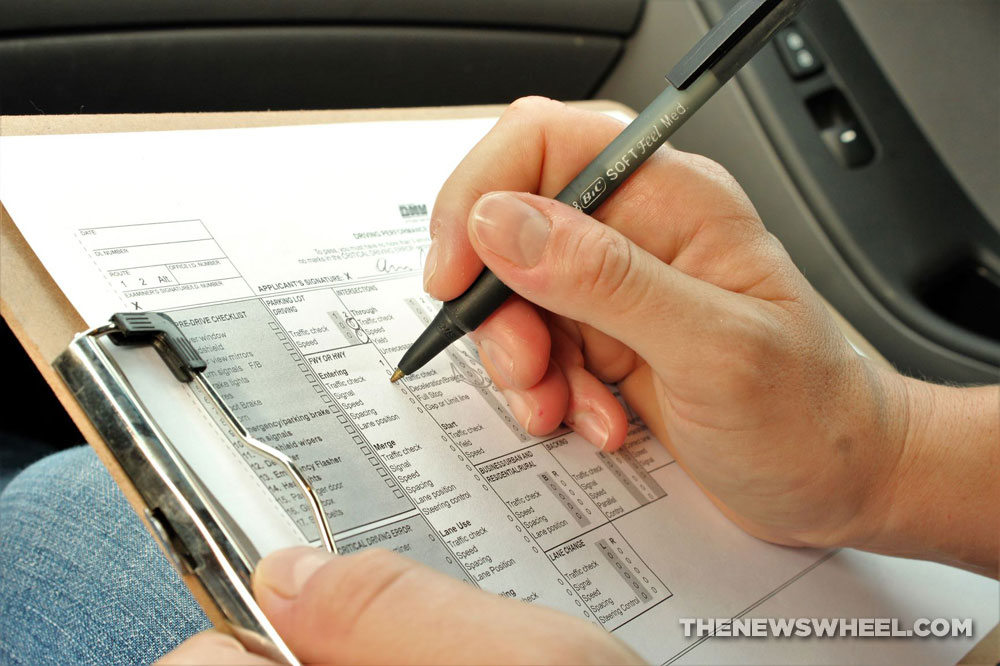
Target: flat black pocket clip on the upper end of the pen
(718,41)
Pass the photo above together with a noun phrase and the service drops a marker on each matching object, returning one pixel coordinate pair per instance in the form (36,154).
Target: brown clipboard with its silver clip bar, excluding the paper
(215,561)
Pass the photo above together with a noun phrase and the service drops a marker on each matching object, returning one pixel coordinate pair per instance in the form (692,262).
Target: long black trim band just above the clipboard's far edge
(295,68)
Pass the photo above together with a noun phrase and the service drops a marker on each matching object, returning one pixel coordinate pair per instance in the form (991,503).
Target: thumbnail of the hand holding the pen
(511,228)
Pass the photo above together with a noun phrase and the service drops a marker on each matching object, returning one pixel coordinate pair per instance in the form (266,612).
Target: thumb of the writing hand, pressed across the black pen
(569,263)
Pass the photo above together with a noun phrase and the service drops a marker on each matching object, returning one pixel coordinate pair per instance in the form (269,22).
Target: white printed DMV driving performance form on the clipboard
(291,258)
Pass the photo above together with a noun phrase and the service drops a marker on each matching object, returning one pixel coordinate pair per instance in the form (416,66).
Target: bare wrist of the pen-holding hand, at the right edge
(934,500)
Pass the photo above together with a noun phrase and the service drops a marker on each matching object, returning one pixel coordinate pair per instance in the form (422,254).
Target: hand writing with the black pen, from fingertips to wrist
(674,290)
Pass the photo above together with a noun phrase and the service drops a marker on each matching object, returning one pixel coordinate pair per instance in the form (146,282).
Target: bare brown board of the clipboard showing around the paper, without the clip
(44,322)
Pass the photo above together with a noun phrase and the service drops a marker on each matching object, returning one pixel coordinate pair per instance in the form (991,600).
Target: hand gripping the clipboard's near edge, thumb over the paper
(381,608)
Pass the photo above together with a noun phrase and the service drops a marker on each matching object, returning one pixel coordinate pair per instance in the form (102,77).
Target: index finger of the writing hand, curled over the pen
(513,156)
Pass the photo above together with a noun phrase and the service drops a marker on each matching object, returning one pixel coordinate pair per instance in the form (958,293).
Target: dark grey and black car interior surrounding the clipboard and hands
(866,134)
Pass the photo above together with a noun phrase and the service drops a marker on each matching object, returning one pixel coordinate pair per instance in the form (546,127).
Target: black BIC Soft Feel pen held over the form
(701,72)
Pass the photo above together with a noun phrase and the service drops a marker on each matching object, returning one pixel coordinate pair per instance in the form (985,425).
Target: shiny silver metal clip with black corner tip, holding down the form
(193,528)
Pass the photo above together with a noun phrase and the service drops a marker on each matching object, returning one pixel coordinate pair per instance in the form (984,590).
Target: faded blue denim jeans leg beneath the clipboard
(81,582)
